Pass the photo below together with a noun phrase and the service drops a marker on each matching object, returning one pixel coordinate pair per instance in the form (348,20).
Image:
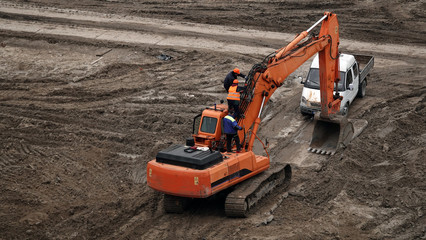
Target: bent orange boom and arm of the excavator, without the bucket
(266,77)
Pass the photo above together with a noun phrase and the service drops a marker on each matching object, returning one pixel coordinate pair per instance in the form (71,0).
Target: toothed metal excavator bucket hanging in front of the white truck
(330,134)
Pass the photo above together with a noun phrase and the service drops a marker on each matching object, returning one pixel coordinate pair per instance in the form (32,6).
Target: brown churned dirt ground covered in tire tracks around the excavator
(86,102)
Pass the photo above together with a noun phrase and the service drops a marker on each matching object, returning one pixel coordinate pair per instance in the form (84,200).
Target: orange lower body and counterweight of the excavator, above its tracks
(193,183)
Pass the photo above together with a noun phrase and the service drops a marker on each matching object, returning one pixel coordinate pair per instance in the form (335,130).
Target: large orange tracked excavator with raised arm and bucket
(201,168)
